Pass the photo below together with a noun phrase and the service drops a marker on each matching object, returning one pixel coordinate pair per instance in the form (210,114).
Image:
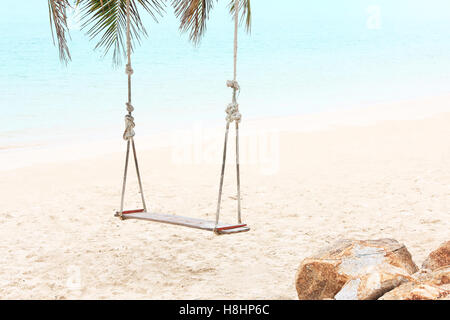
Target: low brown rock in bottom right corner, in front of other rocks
(424,285)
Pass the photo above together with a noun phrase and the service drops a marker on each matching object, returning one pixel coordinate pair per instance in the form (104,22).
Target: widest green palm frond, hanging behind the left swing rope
(107,20)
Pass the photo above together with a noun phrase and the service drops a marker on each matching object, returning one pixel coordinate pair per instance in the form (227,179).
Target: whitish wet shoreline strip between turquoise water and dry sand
(89,143)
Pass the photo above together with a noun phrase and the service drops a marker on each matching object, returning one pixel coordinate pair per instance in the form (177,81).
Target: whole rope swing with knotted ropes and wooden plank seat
(233,115)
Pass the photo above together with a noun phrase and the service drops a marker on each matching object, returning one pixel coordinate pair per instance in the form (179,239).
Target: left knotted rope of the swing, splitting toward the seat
(129,133)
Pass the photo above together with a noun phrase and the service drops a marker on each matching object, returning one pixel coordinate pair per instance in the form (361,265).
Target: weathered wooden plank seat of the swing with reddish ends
(184,221)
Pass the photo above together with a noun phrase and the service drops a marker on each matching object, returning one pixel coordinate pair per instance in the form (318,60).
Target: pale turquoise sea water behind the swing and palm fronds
(301,57)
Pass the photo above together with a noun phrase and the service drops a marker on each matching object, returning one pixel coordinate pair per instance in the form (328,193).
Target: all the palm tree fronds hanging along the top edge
(106,21)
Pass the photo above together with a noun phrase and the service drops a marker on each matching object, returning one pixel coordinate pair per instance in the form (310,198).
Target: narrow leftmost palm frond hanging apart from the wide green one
(57,10)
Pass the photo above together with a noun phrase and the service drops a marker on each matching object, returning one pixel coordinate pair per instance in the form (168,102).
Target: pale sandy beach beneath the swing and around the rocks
(306,182)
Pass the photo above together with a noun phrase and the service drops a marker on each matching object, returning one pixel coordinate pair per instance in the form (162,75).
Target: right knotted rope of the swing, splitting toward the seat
(233,115)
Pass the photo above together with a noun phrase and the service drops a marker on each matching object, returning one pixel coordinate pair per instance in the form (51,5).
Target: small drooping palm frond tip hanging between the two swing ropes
(193,15)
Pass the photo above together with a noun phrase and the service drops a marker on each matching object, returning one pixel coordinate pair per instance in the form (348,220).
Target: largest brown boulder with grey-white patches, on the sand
(354,269)
